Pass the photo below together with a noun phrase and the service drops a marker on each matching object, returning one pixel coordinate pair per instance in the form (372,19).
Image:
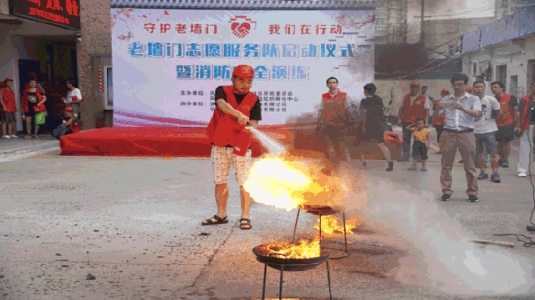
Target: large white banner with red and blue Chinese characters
(168,63)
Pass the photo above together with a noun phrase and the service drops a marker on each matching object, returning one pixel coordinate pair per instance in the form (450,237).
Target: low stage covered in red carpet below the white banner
(181,142)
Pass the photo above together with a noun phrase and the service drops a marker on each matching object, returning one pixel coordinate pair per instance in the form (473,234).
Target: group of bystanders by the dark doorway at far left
(54,108)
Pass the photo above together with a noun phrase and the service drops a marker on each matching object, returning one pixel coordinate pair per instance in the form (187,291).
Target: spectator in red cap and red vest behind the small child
(415,105)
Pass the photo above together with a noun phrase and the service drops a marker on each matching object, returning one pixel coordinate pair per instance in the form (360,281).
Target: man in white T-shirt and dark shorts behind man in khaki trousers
(485,129)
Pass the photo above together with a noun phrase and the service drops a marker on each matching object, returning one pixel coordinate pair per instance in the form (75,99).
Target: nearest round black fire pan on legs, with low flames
(275,256)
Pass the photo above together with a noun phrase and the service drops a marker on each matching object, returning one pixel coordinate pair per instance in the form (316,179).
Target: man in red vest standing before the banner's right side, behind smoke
(333,121)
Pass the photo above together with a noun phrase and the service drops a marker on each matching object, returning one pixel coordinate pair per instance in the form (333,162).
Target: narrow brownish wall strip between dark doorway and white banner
(96,41)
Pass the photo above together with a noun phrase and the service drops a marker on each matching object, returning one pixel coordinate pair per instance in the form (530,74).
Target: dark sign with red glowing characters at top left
(65,13)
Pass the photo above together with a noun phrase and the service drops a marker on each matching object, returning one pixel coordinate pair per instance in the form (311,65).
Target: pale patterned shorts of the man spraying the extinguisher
(223,157)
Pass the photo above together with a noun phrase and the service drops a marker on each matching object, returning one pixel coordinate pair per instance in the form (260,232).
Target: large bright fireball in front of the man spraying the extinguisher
(290,182)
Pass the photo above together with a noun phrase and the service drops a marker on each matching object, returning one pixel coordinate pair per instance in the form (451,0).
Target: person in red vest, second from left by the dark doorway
(32,100)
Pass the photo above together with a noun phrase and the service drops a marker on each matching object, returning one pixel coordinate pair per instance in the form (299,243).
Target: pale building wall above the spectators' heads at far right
(515,55)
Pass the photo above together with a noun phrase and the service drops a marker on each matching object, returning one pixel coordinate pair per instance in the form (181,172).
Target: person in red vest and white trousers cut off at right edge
(525,125)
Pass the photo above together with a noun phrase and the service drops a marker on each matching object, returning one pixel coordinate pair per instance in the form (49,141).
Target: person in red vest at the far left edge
(8,108)
